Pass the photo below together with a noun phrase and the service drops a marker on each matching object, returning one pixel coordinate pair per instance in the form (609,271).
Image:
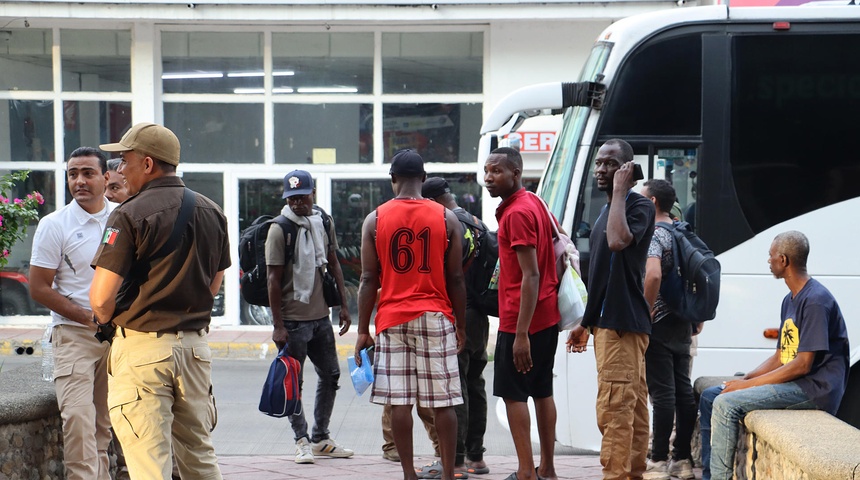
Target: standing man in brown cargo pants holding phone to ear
(617,313)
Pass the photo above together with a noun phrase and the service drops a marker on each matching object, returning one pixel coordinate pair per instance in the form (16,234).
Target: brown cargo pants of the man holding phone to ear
(622,402)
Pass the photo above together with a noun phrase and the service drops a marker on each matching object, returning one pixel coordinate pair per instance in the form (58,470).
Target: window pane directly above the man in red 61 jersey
(440,132)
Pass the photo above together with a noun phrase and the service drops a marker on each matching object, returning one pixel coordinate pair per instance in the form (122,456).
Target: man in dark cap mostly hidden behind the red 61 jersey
(472,414)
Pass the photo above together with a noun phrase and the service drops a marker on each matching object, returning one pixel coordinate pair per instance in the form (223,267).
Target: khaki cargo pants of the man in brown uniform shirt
(161,390)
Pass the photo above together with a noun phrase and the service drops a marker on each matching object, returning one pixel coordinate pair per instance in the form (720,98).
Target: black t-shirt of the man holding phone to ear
(615,279)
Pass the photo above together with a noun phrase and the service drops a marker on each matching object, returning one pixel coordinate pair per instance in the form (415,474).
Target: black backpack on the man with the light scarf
(252,254)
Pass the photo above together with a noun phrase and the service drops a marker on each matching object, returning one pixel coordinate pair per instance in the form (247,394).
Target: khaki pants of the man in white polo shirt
(80,376)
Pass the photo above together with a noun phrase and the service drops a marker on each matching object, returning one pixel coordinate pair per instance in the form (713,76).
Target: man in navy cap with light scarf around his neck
(300,314)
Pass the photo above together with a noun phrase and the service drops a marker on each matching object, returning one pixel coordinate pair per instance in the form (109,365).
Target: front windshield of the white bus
(555,184)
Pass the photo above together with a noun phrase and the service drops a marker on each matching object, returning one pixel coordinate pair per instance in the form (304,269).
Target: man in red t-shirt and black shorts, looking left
(528,311)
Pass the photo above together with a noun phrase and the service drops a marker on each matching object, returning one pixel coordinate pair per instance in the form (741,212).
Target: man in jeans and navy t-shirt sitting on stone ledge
(808,370)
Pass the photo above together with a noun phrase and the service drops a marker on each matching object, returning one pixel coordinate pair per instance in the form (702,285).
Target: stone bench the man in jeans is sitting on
(793,444)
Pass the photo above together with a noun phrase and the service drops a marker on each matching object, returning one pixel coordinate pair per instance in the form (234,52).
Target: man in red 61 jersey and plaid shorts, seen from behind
(410,252)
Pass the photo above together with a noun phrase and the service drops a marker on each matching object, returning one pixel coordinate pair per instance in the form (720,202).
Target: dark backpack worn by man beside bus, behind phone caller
(692,288)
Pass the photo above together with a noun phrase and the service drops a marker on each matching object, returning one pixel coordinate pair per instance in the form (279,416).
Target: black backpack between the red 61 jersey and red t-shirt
(481,277)
